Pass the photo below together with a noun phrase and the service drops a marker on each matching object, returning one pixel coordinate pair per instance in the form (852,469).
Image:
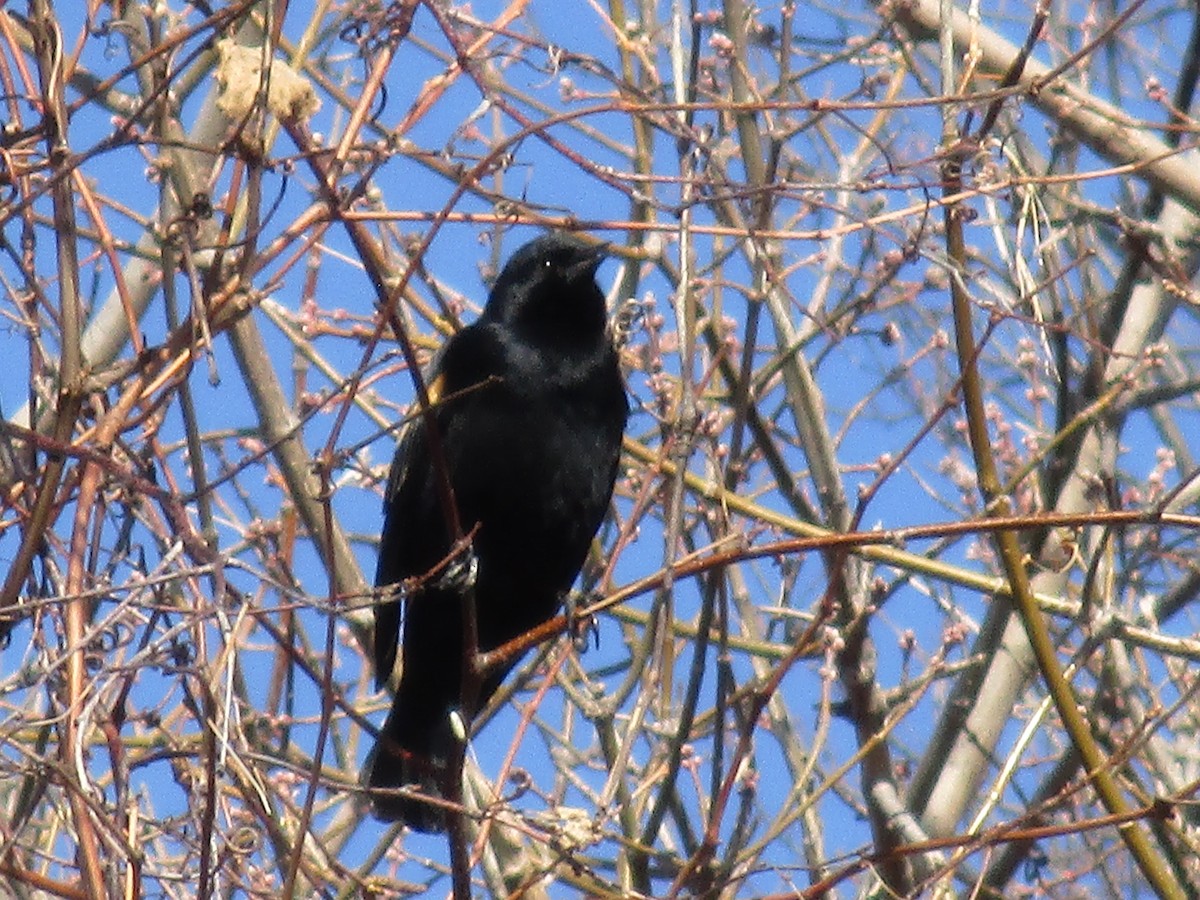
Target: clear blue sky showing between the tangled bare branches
(875,335)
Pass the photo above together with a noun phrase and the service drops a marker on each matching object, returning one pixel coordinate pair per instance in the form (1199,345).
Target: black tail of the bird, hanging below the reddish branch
(413,752)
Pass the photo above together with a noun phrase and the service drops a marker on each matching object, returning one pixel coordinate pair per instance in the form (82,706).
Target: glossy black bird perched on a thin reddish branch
(531,418)
